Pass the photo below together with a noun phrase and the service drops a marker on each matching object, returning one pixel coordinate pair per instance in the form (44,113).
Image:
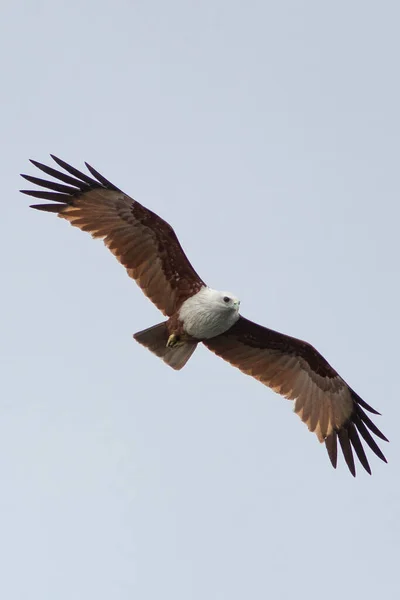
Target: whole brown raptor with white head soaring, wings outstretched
(150,251)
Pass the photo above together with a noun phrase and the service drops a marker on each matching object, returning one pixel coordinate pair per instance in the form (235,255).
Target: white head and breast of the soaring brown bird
(204,316)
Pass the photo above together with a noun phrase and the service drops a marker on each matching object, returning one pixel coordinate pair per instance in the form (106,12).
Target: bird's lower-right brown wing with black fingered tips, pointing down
(293,368)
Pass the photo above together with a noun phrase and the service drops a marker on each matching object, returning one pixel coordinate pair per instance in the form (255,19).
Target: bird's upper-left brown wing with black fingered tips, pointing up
(143,242)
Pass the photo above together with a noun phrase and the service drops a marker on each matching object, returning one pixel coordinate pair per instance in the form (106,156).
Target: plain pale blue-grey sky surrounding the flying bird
(267,134)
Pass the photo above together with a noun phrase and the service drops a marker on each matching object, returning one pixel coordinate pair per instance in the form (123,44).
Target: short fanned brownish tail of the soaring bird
(155,339)
